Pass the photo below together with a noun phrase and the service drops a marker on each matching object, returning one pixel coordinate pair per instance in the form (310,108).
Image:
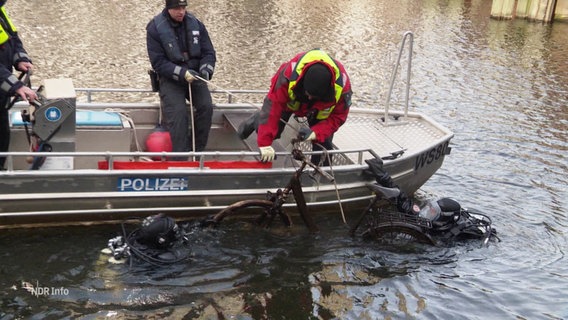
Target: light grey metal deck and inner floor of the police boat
(365,129)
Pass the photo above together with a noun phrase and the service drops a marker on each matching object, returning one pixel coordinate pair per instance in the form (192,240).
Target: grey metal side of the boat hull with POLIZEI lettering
(72,197)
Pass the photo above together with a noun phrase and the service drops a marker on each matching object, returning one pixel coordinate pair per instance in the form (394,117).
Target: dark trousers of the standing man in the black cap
(176,115)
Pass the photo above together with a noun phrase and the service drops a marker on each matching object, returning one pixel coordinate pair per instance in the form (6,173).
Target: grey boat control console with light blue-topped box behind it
(56,125)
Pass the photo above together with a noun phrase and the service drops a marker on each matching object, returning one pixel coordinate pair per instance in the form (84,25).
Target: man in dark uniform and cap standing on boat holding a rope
(180,49)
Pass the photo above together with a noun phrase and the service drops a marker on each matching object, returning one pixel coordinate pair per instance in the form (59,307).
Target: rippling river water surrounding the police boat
(501,86)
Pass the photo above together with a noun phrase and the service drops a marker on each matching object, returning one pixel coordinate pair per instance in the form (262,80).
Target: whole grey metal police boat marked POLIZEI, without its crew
(92,155)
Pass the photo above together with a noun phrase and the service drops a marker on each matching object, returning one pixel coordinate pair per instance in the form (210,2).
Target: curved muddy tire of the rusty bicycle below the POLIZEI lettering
(244,207)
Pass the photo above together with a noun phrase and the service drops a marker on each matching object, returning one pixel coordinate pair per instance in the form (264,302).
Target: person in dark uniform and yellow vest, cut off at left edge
(12,55)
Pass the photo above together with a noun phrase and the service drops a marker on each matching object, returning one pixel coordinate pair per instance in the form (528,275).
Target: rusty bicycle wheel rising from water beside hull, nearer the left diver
(264,210)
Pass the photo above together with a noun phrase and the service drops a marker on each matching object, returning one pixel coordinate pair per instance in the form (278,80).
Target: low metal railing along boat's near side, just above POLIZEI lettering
(200,157)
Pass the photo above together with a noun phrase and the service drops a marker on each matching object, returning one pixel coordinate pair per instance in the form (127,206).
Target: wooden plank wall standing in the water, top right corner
(538,10)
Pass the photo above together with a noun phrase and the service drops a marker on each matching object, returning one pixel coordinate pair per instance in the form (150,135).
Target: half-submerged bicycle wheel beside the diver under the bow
(397,233)
